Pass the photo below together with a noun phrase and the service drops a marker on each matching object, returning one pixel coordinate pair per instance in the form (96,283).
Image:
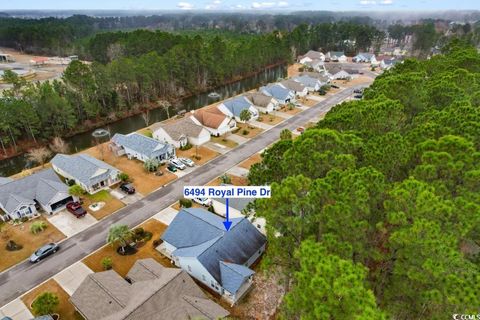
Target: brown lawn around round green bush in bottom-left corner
(65,309)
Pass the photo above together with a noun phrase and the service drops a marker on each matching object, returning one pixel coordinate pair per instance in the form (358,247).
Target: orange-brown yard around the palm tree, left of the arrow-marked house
(122,264)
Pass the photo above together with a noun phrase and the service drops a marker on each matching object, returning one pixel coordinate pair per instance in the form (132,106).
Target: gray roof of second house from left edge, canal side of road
(84,168)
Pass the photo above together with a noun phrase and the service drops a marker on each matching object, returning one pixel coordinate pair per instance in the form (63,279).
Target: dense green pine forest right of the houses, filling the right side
(375,211)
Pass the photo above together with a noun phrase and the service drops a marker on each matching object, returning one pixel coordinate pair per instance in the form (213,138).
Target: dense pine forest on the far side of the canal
(131,71)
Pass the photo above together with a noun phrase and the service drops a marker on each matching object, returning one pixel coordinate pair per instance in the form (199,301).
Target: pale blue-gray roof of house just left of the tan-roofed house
(144,145)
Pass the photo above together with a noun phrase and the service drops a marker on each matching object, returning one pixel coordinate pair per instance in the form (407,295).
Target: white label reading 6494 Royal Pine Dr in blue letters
(191,192)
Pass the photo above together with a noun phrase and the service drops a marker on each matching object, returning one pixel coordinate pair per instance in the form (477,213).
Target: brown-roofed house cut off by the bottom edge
(149,291)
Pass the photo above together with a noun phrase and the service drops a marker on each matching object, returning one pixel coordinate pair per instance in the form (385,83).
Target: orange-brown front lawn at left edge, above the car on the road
(21,235)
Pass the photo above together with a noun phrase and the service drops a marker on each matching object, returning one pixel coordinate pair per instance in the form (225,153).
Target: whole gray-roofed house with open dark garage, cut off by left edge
(26,196)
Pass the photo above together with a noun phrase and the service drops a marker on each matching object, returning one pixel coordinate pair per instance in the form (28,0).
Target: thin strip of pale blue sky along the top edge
(243,5)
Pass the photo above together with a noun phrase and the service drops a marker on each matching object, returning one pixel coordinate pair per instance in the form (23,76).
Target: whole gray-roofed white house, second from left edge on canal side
(91,174)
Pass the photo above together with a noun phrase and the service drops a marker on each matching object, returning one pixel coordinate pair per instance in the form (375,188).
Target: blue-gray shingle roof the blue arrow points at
(200,233)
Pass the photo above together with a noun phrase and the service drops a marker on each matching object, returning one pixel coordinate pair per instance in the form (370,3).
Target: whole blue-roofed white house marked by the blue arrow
(197,242)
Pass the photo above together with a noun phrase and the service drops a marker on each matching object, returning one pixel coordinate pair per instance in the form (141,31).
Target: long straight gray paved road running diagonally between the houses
(24,276)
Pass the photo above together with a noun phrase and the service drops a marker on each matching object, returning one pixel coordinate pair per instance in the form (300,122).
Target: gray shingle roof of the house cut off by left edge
(41,186)
